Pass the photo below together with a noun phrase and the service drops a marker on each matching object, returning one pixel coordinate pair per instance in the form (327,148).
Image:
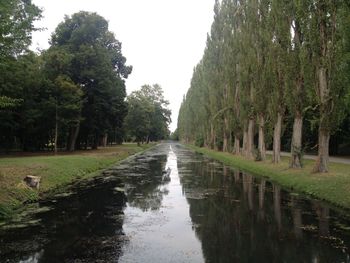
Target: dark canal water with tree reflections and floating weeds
(206,212)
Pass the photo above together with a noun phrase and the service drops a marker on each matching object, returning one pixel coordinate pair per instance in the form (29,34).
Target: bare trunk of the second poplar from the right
(295,161)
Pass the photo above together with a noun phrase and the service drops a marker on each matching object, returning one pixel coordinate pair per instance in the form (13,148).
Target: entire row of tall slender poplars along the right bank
(274,74)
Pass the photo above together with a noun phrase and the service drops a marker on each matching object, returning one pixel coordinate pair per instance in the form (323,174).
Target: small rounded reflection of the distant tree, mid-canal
(146,191)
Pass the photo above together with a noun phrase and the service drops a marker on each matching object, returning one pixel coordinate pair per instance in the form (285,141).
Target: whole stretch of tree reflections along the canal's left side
(87,226)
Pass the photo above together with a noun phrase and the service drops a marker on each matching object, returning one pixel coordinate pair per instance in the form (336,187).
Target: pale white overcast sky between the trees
(162,39)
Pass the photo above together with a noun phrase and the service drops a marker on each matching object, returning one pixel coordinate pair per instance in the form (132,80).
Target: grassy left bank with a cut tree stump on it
(55,171)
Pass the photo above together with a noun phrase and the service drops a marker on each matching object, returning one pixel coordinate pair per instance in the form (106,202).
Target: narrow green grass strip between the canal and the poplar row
(333,187)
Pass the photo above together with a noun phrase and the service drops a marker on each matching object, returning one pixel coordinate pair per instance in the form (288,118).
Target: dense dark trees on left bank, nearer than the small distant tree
(71,95)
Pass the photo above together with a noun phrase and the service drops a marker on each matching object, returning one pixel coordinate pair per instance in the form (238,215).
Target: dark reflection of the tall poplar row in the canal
(250,220)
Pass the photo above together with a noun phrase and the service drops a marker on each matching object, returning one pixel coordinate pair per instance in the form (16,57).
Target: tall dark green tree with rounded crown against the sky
(98,67)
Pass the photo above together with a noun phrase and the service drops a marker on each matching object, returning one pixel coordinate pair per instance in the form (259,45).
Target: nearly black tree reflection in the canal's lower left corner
(81,227)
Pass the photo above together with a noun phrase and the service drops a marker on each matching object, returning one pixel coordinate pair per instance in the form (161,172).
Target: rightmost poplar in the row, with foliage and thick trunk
(328,25)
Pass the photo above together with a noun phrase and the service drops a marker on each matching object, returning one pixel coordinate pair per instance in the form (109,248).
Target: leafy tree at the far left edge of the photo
(16,26)
